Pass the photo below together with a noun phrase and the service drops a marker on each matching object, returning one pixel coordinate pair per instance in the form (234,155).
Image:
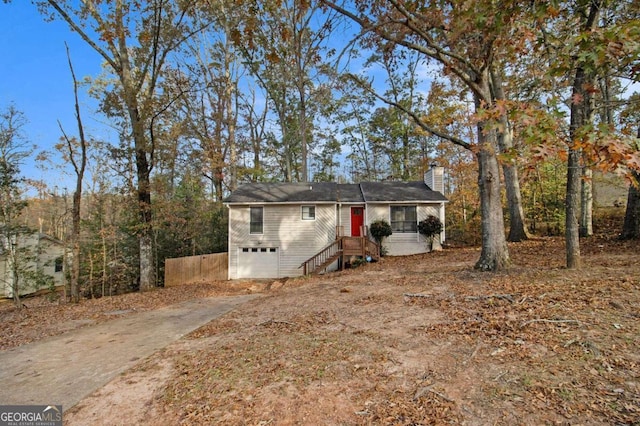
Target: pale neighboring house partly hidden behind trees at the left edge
(45,254)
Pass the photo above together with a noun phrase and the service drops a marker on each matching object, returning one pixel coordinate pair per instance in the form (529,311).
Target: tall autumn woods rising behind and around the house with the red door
(520,103)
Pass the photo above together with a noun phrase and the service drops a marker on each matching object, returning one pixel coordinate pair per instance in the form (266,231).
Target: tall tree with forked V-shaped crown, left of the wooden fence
(135,39)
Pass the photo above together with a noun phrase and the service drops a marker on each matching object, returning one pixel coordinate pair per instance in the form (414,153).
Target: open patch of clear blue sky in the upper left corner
(35,77)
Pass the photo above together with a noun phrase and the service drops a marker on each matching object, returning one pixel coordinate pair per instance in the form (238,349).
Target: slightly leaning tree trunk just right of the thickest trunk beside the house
(517,226)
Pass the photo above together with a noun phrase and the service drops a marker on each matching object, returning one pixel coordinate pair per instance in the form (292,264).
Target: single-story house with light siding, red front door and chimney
(275,227)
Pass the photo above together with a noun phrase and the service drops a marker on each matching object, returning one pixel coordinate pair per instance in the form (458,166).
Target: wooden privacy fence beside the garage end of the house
(206,267)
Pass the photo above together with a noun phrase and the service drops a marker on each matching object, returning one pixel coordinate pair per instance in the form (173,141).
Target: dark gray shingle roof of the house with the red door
(319,192)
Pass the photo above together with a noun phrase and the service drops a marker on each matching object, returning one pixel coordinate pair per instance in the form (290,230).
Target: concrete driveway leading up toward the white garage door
(64,369)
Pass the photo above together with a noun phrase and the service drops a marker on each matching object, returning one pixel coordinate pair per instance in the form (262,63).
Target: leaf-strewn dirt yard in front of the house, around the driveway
(412,340)
